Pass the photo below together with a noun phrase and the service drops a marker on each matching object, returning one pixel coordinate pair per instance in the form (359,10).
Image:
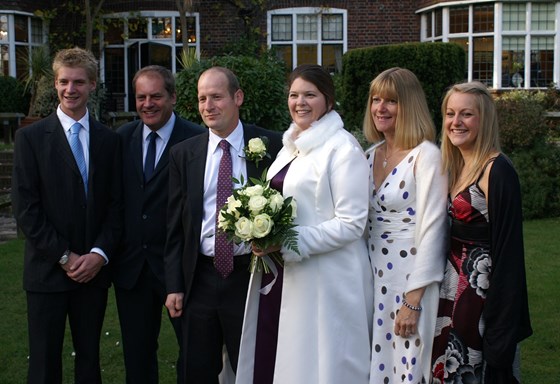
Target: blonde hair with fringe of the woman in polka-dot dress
(414,123)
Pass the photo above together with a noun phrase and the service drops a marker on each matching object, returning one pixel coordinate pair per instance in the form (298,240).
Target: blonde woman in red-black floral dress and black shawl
(483,311)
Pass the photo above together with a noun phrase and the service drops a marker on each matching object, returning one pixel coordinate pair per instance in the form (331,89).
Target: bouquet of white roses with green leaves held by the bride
(260,214)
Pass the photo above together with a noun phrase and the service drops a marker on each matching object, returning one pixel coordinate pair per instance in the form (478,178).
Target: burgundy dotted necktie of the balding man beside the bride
(223,249)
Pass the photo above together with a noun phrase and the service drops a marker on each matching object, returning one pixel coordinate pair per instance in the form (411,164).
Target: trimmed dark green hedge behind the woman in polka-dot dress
(437,66)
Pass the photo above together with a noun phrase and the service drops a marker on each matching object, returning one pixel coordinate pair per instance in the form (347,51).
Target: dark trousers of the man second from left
(140,312)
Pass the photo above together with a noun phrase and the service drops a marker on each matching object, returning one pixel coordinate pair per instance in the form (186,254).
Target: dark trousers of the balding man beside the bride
(213,317)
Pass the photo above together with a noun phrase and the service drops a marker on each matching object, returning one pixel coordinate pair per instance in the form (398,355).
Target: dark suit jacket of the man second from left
(145,205)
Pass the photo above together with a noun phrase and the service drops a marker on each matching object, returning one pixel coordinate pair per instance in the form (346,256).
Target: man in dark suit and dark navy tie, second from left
(138,268)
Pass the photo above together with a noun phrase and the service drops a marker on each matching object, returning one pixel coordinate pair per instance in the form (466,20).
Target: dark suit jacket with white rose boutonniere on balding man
(186,182)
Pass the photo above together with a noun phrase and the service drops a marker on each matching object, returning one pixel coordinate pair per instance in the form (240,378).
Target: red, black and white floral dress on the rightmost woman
(457,351)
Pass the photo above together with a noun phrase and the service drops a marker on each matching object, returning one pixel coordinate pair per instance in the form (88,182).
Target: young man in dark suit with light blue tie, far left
(66,193)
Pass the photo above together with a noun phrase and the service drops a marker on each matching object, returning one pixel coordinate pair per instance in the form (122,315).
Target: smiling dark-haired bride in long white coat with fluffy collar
(327,289)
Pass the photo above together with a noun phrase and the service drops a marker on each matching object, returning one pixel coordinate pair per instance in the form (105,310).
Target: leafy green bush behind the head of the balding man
(263,81)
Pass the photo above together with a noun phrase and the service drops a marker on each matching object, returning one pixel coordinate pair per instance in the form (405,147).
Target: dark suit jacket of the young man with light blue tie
(50,204)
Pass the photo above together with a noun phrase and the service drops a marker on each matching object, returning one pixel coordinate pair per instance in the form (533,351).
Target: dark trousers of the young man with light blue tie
(46,314)
